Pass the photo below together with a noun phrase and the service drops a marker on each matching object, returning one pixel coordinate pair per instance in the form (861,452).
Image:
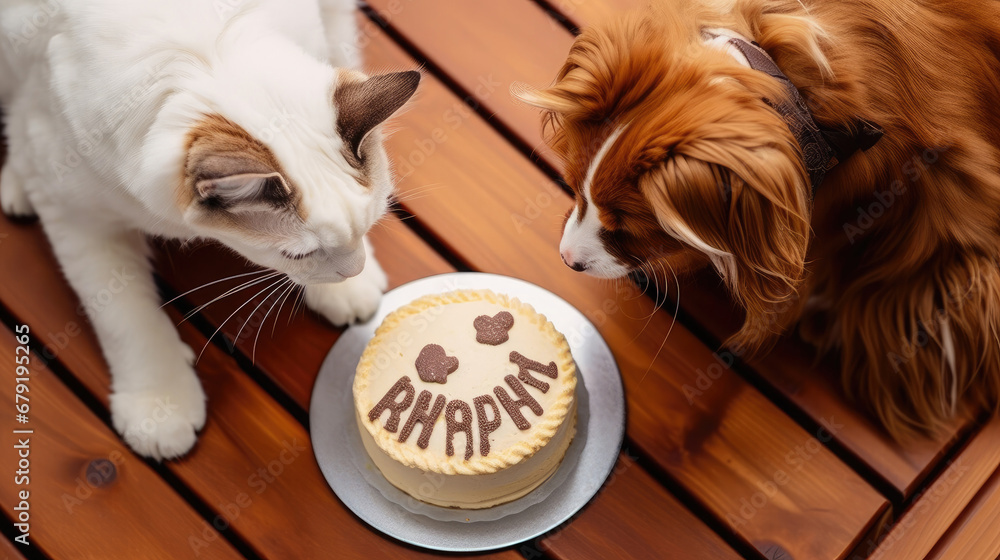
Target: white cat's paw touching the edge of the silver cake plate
(354,299)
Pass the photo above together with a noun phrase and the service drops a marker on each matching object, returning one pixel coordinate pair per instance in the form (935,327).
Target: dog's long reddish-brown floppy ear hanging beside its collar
(742,201)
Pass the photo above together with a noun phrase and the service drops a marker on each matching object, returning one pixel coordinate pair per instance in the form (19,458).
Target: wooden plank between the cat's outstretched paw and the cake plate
(258,458)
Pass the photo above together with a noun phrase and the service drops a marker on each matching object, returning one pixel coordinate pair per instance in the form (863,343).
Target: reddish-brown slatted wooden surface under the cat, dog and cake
(722,459)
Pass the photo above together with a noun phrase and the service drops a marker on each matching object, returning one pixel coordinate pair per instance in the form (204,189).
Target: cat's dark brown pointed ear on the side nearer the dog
(363,105)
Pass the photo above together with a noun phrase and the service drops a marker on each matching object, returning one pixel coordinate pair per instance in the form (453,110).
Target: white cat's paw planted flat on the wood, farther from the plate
(161,424)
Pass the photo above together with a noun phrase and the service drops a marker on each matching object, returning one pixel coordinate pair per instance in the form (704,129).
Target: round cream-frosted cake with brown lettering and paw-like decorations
(466,399)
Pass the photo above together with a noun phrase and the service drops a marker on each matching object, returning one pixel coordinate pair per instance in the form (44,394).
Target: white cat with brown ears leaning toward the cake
(242,121)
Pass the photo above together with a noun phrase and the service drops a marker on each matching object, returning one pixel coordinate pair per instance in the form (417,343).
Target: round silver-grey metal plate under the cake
(589,459)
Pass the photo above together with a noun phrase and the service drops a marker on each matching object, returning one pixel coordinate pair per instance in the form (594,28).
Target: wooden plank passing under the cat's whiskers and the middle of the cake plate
(307,339)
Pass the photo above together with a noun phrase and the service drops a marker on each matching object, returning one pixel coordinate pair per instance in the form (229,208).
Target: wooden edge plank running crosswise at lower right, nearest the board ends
(940,506)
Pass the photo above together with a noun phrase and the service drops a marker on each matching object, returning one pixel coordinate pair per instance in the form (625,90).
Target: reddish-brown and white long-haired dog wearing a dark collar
(682,150)
